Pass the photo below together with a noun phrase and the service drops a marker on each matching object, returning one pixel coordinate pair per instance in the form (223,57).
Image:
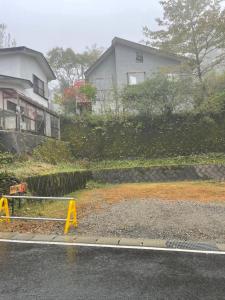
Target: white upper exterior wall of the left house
(24,66)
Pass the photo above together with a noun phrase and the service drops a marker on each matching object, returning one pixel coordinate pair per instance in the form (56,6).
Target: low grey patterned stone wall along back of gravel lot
(160,174)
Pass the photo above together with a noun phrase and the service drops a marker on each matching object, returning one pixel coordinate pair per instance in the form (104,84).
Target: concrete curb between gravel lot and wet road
(114,241)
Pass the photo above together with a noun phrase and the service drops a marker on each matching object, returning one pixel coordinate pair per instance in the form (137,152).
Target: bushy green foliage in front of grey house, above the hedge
(158,95)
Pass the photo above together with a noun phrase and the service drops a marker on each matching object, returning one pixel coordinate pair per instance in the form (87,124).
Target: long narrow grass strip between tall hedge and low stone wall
(30,167)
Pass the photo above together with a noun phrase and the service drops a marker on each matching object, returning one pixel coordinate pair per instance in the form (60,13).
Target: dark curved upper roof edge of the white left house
(28,51)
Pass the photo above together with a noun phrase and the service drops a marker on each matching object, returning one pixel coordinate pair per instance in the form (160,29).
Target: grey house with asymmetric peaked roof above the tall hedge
(126,63)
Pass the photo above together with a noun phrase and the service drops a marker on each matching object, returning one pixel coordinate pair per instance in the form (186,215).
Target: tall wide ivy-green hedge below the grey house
(133,137)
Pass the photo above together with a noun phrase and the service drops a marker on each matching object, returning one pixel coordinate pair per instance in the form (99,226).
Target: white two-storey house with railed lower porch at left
(24,95)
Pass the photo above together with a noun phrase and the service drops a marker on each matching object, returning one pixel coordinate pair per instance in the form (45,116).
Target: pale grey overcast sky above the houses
(44,24)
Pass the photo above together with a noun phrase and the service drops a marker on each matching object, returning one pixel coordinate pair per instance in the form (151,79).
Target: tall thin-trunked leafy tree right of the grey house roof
(195,28)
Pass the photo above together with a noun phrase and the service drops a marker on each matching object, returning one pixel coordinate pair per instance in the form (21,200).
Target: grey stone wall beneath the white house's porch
(19,142)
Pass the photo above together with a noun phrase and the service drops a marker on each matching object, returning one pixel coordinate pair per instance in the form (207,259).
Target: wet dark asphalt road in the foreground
(68,272)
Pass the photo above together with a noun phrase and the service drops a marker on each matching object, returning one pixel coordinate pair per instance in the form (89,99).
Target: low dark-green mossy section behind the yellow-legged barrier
(57,184)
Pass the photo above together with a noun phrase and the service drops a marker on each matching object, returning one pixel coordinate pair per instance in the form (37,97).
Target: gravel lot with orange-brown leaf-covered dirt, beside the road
(182,210)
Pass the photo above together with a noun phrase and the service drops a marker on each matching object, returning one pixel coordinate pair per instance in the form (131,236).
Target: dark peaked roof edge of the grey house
(137,46)
